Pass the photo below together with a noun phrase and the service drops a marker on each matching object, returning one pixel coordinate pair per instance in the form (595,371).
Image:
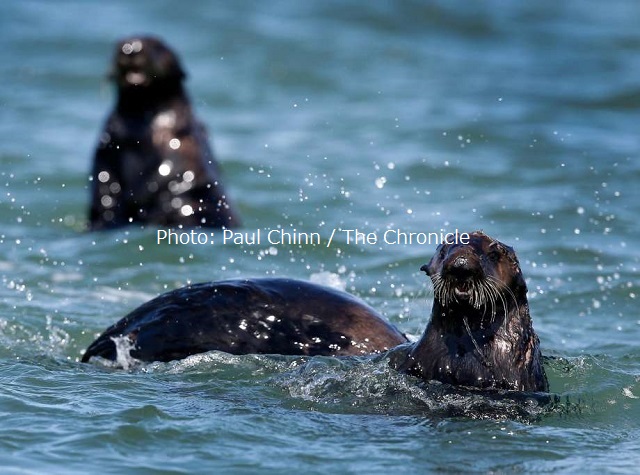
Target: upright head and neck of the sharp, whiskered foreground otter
(480,333)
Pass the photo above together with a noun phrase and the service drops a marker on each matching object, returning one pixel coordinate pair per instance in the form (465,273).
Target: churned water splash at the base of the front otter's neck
(364,385)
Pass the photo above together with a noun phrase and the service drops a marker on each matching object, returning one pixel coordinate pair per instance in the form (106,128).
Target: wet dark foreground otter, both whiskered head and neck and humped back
(480,333)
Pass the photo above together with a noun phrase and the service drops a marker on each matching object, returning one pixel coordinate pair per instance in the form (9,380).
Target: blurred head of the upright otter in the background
(144,61)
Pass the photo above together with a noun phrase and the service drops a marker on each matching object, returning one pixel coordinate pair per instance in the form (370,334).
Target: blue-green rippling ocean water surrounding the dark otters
(518,118)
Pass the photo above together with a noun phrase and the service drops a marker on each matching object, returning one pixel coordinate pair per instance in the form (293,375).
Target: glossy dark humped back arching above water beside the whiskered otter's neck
(266,316)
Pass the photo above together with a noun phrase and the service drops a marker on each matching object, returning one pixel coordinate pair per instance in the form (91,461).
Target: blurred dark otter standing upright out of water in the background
(153,163)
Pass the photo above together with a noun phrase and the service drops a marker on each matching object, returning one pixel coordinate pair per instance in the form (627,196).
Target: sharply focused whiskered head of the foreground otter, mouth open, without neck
(478,273)
